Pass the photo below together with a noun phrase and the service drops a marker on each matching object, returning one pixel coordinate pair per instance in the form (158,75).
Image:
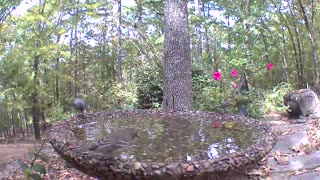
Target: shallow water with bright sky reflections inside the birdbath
(163,139)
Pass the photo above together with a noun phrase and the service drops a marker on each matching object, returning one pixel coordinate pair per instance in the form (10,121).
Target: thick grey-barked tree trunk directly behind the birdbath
(177,60)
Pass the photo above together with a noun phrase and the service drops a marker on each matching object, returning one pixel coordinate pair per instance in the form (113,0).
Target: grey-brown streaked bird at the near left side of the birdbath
(112,142)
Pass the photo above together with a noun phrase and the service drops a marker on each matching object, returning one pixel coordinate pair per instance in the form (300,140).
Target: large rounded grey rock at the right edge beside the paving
(302,103)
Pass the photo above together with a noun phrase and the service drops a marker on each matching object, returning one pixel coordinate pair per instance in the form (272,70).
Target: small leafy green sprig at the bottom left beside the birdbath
(34,170)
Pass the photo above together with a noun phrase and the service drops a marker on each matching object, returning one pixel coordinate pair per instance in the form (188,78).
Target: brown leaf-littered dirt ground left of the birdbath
(11,155)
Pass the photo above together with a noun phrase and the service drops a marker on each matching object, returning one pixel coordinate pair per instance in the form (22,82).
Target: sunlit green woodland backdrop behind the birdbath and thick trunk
(111,54)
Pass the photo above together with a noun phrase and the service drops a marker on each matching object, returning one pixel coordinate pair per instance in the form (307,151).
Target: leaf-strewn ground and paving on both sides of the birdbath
(280,163)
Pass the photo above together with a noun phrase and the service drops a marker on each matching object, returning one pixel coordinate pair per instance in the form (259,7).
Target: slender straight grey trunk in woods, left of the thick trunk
(119,46)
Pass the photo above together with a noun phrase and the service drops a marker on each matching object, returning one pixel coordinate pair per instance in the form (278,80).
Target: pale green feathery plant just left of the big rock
(273,98)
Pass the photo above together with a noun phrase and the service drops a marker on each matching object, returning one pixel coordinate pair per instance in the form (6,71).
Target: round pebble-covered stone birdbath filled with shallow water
(171,145)
